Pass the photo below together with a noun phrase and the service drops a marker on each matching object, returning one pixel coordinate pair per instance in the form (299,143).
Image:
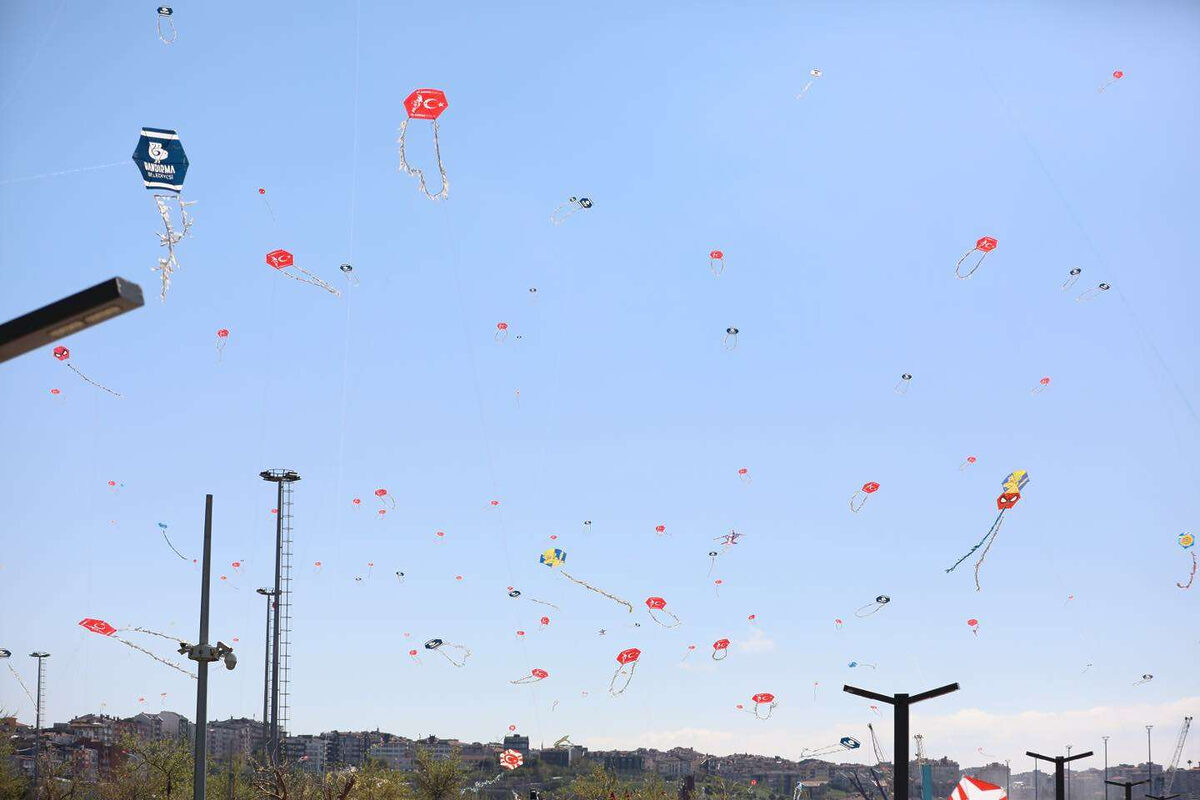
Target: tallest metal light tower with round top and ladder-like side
(281,630)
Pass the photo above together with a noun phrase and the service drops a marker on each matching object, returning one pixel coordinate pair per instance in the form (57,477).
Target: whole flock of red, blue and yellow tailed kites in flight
(164,165)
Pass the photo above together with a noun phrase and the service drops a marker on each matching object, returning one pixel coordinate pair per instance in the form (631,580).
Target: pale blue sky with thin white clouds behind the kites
(842,218)
